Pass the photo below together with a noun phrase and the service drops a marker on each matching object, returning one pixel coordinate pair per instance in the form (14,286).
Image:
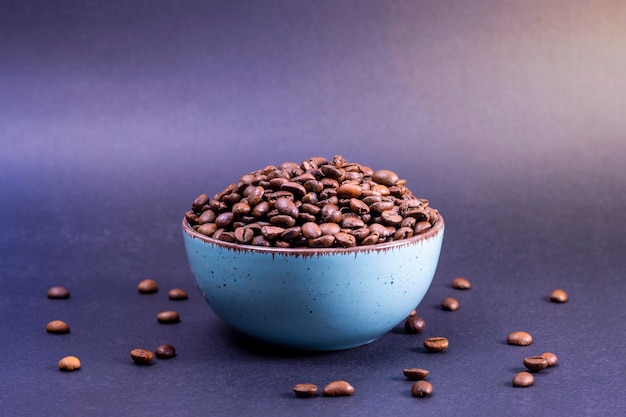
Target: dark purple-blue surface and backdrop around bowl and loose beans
(510,117)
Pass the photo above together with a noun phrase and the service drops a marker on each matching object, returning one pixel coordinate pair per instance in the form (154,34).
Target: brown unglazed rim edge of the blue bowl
(307,251)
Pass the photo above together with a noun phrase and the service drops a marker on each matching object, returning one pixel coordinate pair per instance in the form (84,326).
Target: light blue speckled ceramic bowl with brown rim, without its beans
(314,299)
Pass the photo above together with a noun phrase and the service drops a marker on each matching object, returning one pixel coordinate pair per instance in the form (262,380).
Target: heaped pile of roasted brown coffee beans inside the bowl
(318,203)
